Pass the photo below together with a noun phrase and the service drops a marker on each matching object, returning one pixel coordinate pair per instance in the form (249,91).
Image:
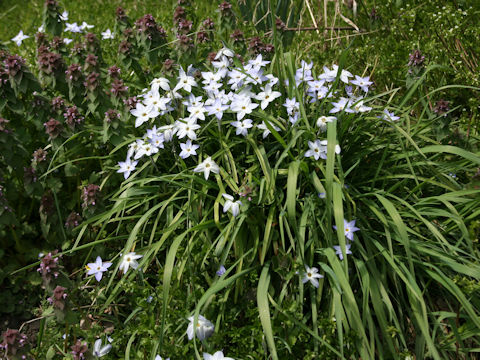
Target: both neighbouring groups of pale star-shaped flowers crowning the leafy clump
(237,90)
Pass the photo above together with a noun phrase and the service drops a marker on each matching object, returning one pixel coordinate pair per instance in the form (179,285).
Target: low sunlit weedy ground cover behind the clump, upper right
(385,34)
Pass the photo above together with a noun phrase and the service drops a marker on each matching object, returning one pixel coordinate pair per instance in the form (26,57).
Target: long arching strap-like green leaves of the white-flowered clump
(403,260)
